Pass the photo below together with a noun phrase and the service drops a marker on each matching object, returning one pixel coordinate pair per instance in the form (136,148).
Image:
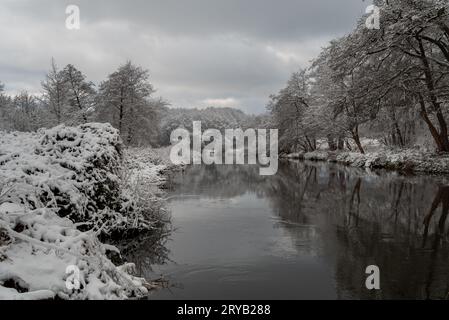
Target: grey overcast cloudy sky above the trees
(199,52)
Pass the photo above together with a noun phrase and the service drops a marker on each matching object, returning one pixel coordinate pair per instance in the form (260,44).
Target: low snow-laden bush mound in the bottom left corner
(41,245)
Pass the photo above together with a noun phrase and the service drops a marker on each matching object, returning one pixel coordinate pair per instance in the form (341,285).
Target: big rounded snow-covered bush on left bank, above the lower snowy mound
(76,171)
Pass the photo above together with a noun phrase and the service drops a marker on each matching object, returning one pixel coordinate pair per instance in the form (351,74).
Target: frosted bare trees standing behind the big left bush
(125,99)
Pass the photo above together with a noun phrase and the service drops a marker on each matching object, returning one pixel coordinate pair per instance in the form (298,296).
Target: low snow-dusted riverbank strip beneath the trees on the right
(401,160)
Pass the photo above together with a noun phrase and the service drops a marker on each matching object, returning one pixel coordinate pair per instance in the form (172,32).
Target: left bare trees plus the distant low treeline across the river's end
(125,99)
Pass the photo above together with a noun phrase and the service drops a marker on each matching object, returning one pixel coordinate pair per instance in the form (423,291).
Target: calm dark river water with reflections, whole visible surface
(309,232)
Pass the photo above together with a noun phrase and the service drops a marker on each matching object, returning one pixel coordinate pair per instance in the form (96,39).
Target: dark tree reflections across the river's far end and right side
(350,218)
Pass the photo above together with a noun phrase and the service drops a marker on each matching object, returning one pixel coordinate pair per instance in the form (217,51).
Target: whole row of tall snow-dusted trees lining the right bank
(391,84)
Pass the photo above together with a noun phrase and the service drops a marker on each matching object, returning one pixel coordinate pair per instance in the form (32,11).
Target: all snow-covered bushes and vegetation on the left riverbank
(65,197)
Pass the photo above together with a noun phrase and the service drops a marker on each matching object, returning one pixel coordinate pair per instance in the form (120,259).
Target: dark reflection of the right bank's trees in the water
(379,218)
